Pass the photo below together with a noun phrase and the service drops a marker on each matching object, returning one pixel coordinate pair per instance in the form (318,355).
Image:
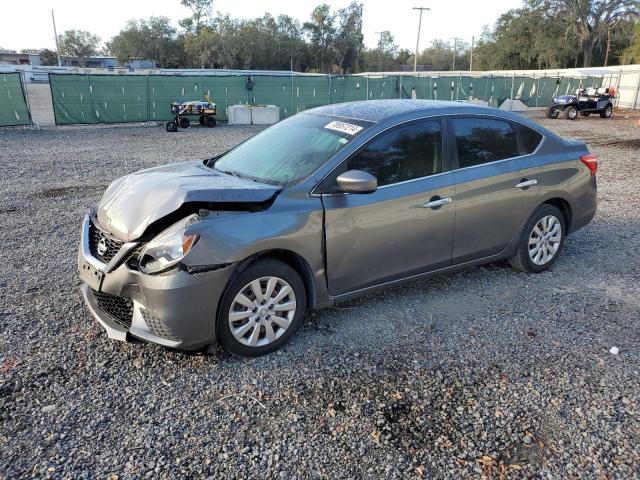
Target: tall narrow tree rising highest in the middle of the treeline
(348,40)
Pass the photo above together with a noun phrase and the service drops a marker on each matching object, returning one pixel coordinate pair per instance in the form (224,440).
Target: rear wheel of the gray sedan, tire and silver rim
(541,241)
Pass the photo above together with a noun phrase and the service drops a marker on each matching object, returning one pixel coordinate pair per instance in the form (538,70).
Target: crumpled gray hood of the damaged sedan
(134,202)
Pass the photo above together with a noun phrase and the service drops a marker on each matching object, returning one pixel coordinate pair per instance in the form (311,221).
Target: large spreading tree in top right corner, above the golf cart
(591,20)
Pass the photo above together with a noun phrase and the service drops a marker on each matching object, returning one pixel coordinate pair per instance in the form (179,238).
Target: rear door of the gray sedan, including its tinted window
(496,187)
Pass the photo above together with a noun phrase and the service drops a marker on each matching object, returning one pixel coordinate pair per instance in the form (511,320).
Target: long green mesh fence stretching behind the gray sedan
(79,98)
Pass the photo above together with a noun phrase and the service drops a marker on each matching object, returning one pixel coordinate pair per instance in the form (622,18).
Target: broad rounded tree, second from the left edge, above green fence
(153,39)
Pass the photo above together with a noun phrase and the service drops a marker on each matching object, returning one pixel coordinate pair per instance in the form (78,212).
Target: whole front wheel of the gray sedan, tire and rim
(262,309)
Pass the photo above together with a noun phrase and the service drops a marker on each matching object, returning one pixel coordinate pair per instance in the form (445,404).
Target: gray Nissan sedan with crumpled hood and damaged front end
(329,204)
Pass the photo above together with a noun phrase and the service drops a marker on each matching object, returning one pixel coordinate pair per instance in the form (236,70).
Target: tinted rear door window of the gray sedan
(482,140)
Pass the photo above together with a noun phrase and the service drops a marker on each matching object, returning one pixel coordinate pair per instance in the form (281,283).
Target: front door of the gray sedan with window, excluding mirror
(406,226)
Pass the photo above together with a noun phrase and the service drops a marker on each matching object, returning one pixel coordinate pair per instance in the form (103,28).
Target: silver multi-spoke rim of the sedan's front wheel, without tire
(262,311)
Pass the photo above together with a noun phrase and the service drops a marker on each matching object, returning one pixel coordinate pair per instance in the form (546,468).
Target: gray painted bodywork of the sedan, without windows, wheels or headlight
(347,244)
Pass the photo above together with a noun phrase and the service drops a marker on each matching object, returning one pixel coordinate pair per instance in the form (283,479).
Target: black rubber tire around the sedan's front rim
(257,270)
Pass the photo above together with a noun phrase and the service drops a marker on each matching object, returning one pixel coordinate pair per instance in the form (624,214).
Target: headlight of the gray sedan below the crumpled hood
(168,248)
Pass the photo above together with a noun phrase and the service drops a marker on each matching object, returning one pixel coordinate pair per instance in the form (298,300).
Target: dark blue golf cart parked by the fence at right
(585,102)
